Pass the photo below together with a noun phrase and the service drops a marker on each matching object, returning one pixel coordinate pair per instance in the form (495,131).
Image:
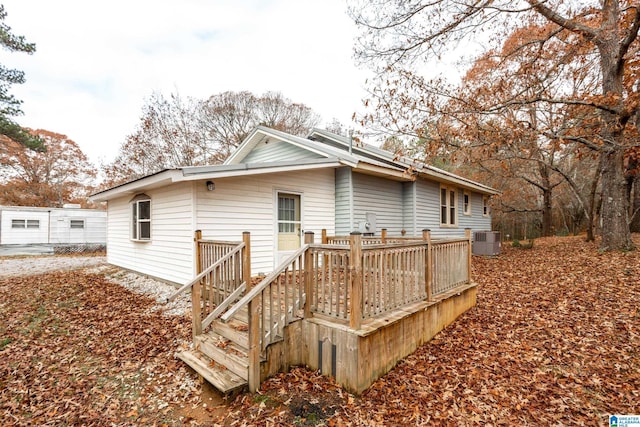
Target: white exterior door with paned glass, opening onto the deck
(289,225)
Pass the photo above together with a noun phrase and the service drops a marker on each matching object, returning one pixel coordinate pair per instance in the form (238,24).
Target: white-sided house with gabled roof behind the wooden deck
(278,186)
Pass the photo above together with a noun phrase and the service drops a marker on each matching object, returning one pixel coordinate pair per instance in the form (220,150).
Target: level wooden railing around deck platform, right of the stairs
(383,277)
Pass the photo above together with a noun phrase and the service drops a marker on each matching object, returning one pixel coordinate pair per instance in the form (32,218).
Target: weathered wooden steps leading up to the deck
(220,355)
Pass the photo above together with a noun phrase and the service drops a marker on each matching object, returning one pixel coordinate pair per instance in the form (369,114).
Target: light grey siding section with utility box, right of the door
(379,196)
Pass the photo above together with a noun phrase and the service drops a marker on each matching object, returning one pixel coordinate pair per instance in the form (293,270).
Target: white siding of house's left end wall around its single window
(170,254)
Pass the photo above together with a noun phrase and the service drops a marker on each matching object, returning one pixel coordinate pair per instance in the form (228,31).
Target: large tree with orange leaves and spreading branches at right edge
(399,37)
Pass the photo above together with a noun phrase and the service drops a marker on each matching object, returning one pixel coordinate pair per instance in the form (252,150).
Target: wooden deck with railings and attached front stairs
(351,310)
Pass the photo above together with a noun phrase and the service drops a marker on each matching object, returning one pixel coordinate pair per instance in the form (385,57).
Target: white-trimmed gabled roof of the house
(327,150)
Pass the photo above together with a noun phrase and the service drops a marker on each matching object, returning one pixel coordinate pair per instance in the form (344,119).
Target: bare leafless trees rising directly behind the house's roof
(176,132)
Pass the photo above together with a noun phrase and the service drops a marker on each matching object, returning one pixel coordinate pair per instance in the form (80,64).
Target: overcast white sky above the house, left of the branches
(97,61)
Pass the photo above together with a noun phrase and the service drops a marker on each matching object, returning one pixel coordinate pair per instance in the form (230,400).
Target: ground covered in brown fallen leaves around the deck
(553,340)
